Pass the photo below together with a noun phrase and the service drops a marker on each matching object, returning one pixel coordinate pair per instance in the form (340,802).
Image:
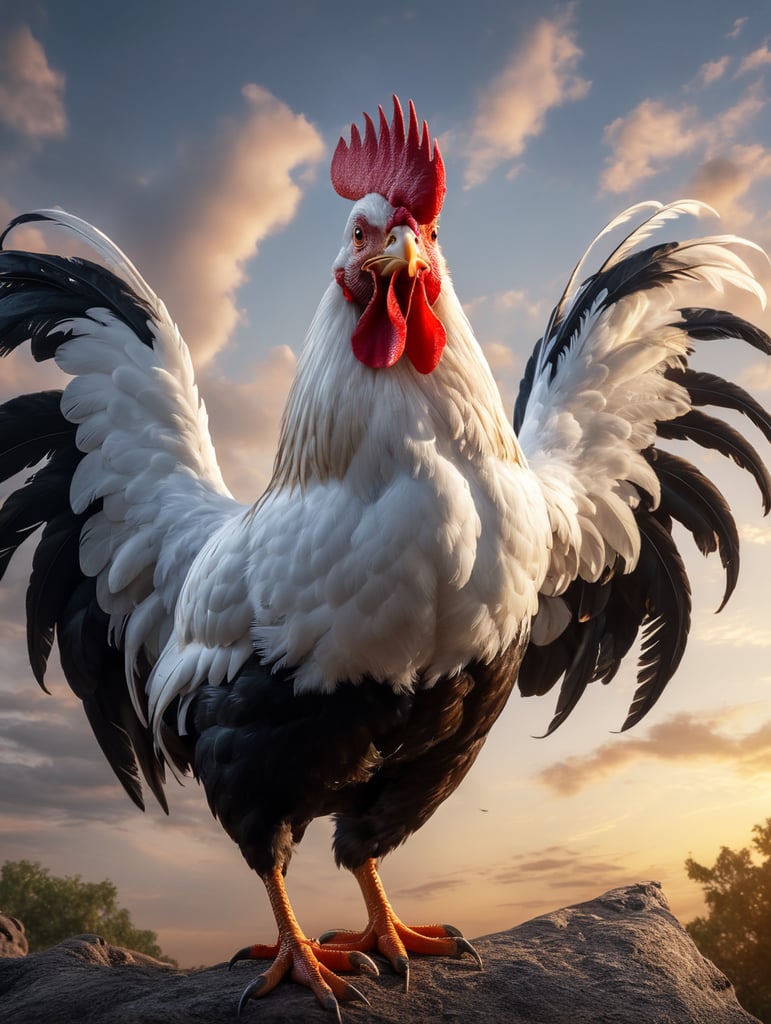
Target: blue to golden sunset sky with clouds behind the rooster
(199,138)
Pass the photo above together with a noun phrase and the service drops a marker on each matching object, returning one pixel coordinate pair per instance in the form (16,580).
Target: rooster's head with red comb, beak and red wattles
(390,265)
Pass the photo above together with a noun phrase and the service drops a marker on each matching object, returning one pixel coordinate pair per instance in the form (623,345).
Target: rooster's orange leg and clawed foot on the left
(306,961)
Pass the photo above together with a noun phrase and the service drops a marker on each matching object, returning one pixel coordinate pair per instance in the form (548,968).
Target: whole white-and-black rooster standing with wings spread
(344,646)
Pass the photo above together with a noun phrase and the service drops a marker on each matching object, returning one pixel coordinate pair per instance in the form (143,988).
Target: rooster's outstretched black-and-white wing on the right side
(609,380)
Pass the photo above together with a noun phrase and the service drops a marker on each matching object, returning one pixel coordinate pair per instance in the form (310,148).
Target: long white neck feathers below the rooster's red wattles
(341,414)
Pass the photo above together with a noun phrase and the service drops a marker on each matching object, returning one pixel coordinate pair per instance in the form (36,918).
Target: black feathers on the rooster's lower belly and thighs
(357,754)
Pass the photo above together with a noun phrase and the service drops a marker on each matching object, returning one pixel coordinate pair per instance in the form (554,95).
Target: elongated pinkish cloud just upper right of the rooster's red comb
(540,76)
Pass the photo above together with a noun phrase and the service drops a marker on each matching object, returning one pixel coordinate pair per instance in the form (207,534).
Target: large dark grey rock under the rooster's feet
(617,959)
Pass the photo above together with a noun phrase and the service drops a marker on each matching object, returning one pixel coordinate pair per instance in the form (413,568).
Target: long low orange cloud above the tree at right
(683,738)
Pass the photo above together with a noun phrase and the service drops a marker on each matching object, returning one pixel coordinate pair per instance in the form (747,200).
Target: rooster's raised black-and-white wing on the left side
(127,488)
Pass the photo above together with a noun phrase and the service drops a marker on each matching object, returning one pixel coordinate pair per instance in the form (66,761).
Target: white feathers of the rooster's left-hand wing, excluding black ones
(150,458)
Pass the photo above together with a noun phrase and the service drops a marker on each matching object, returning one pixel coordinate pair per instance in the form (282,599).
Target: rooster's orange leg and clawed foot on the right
(390,935)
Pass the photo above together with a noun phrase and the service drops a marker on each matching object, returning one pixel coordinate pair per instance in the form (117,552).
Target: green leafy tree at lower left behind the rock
(54,909)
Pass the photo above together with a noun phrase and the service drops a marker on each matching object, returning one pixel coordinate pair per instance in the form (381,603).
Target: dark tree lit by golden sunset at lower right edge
(737,934)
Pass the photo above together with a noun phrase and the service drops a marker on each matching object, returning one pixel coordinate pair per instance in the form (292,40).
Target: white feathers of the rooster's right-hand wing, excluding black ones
(590,415)
